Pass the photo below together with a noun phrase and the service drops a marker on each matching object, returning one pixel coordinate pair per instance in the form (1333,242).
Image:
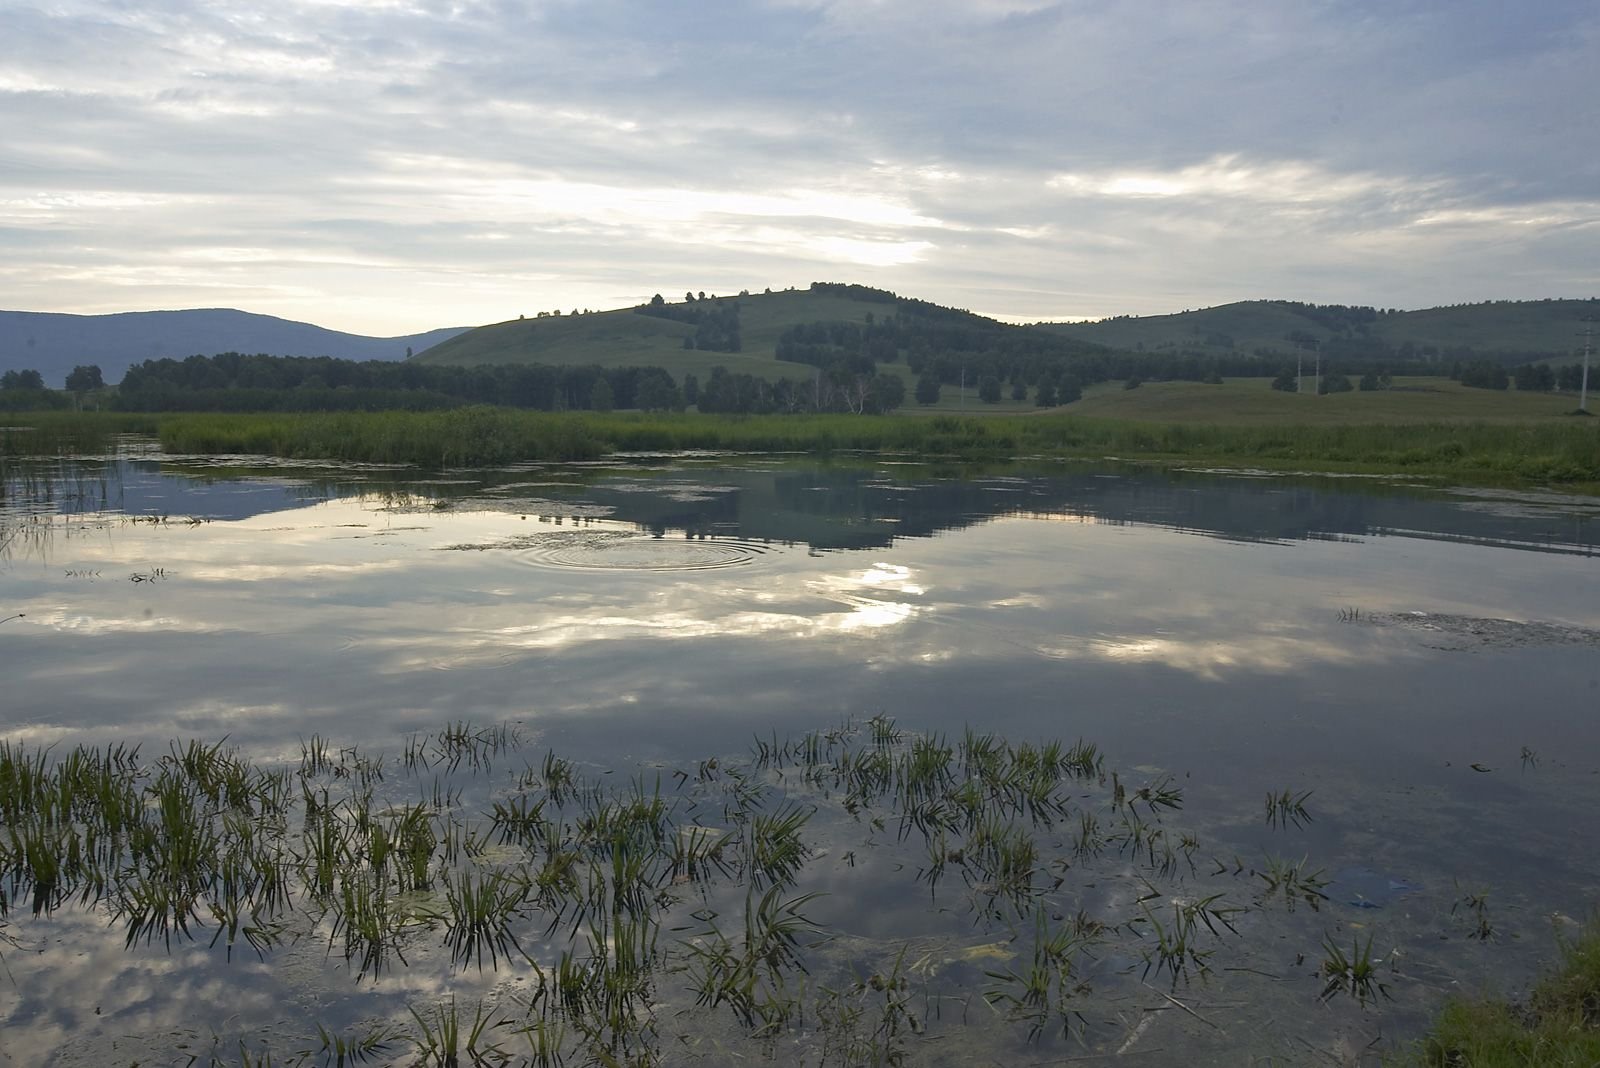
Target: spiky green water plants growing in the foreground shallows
(722,907)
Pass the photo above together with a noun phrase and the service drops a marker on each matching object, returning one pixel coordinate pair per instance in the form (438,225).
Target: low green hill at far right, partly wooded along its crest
(1530,330)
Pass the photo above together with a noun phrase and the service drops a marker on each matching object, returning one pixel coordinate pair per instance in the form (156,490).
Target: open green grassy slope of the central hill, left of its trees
(626,338)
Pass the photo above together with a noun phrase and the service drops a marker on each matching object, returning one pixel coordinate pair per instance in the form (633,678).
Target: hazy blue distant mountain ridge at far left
(54,343)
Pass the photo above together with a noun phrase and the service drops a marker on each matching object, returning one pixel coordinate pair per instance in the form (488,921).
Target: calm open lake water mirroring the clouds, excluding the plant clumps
(1374,645)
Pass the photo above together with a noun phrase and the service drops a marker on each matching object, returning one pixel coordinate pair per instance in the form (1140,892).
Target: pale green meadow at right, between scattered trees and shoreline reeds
(1255,404)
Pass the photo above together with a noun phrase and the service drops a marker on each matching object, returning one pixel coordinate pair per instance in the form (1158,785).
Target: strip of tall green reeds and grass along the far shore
(1548,452)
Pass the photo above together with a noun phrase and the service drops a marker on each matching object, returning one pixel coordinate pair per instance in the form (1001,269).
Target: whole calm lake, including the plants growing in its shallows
(703,759)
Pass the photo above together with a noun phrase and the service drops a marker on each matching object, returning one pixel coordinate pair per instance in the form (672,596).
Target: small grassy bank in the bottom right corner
(1558,1029)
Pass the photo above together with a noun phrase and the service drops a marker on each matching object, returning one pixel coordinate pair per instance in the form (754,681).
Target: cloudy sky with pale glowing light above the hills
(388,167)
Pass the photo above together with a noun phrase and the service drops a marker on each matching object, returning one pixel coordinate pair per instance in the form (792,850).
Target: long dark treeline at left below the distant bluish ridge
(258,383)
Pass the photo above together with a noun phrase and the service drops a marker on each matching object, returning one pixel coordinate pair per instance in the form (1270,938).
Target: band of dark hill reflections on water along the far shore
(825,508)
